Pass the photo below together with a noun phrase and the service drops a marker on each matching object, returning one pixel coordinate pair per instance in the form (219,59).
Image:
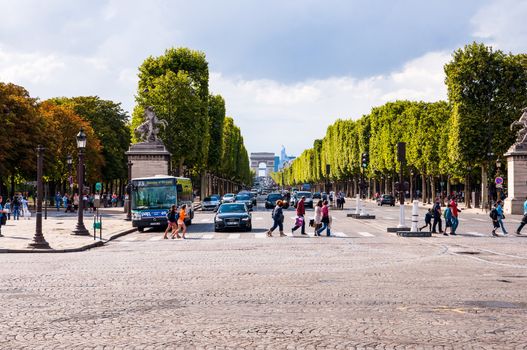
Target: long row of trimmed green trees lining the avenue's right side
(486,91)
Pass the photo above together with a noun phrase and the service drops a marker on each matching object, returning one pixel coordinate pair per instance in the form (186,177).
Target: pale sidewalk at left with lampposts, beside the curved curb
(57,231)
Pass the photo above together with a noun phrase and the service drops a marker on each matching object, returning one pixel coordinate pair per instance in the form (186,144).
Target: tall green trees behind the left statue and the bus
(198,134)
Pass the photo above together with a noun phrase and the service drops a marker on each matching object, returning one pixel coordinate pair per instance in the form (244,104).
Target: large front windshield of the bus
(154,194)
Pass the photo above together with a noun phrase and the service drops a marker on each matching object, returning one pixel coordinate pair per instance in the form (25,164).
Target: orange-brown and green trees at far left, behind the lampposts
(54,123)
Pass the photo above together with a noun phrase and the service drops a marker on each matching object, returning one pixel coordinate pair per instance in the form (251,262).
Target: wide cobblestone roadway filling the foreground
(365,289)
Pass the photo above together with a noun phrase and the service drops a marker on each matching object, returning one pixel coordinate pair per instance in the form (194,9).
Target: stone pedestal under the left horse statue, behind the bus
(149,159)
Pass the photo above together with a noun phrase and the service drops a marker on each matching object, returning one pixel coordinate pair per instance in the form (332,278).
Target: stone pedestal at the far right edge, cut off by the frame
(516,178)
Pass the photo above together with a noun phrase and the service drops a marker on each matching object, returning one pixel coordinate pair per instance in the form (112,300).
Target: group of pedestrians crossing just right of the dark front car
(321,220)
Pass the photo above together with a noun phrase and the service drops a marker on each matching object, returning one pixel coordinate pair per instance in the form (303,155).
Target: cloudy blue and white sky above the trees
(286,69)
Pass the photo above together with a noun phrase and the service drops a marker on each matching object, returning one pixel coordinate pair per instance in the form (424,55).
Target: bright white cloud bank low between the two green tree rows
(271,113)
